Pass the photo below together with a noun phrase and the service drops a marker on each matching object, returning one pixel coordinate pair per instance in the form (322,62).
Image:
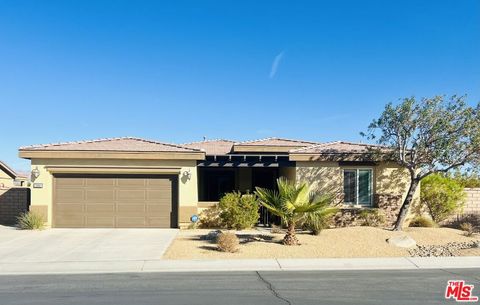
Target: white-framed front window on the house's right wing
(357,186)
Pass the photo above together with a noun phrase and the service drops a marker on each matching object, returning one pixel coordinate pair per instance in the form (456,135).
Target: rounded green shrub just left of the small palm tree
(238,211)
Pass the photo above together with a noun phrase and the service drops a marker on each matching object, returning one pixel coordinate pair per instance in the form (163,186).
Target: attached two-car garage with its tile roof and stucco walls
(114,183)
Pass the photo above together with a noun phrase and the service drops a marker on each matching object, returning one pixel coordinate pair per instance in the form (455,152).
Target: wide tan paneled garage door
(121,201)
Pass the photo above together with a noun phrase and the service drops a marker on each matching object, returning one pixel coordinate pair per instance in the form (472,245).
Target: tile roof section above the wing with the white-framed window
(337,147)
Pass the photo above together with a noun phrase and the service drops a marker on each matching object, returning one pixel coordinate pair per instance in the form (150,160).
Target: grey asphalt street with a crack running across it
(242,288)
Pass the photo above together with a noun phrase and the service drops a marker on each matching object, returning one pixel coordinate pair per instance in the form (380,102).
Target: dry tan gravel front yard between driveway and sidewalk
(331,243)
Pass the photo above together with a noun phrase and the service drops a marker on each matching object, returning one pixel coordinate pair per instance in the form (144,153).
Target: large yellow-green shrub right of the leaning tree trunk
(442,196)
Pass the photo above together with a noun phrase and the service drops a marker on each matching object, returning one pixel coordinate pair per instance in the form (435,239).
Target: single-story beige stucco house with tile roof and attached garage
(133,182)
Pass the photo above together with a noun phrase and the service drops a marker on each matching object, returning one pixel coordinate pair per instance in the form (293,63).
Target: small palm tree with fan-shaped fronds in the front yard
(291,202)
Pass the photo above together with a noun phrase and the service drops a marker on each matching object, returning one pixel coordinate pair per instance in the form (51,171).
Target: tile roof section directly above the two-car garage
(128,144)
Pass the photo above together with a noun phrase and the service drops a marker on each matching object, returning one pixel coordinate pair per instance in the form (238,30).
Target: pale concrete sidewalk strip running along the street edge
(397,263)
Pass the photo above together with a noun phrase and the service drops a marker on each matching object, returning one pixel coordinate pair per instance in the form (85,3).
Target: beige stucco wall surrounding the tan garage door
(188,191)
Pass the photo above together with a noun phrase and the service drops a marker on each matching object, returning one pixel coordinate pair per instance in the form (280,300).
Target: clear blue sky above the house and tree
(176,71)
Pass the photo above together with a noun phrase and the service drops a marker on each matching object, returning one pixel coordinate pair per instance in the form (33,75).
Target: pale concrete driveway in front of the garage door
(83,245)
